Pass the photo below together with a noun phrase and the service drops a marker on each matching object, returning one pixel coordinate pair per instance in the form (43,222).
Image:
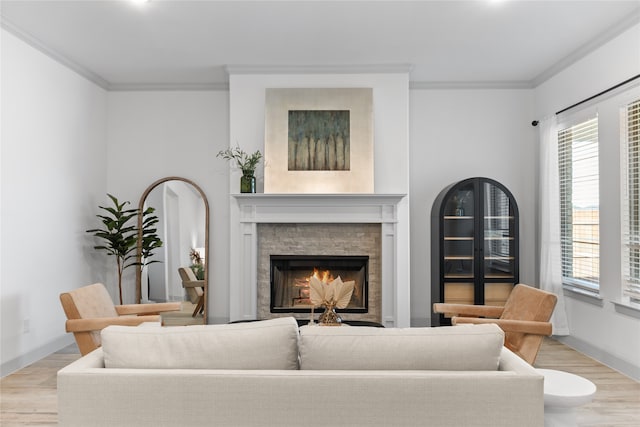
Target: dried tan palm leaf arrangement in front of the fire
(330,295)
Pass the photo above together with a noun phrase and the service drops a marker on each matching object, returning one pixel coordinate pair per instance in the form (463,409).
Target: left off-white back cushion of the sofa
(268,344)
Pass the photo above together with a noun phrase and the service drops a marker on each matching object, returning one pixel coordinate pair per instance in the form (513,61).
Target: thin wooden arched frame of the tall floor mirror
(206,239)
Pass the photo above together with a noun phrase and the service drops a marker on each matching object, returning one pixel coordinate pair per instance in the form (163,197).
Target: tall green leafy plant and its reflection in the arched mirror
(120,235)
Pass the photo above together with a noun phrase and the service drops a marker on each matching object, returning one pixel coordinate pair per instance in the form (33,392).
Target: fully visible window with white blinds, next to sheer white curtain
(579,205)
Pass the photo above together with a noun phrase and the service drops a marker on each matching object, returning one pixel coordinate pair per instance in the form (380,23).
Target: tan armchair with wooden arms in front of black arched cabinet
(524,318)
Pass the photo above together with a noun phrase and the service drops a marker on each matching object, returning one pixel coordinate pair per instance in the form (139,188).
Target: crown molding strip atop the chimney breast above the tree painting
(320,69)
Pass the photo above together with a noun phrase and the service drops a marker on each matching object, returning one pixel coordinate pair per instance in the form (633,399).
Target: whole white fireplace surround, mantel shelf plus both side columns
(248,210)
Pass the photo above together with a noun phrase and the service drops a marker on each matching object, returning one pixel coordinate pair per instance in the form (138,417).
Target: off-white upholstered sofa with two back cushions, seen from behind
(271,373)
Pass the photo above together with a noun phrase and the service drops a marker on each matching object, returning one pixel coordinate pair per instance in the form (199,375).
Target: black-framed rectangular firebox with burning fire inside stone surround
(290,275)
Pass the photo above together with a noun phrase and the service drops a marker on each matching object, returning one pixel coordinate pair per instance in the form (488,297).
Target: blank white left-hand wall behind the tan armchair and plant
(53,176)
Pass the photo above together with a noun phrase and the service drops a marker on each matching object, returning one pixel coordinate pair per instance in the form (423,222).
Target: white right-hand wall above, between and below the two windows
(596,327)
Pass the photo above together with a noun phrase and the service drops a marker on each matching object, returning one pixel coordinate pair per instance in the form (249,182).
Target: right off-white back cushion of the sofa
(451,348)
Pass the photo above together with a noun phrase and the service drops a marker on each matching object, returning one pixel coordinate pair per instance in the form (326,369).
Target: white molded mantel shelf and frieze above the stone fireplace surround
(318,208)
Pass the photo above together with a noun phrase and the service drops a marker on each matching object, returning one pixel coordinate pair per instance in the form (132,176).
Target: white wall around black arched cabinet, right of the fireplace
(458,134)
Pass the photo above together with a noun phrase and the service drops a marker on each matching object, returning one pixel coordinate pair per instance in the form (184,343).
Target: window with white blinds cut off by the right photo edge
(631,200)
